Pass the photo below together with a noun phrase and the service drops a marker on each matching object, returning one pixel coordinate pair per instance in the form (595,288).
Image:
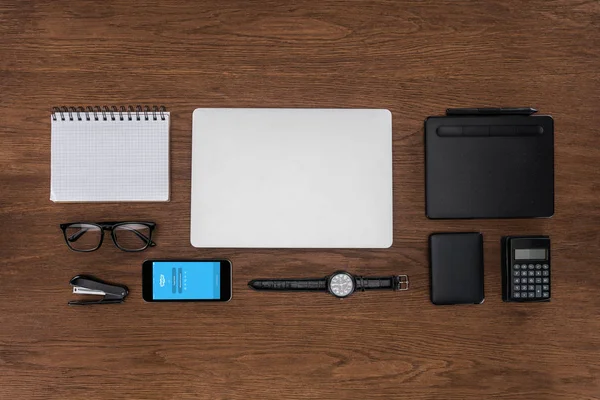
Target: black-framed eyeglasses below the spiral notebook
(127,236)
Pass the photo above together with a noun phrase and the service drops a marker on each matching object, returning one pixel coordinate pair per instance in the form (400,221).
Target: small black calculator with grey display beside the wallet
(526,268)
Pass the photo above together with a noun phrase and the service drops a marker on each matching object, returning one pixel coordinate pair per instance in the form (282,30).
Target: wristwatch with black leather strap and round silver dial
(340,284)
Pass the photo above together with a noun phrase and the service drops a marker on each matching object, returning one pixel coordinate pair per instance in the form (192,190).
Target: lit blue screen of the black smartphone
(172,280)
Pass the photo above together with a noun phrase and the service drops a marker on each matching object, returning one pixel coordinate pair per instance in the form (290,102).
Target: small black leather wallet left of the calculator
(456,261)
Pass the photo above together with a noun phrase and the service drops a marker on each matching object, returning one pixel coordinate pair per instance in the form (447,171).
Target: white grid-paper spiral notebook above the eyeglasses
(101,154)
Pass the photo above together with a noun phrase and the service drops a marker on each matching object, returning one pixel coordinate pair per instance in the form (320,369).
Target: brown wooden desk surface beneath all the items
(415,59)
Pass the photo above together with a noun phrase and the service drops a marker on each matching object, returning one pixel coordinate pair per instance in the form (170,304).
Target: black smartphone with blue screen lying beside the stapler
(186,280)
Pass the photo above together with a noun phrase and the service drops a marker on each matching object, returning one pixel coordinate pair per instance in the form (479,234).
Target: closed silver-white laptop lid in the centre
(291,178)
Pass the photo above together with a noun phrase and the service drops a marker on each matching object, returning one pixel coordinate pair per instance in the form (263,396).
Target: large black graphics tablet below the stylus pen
(499,166)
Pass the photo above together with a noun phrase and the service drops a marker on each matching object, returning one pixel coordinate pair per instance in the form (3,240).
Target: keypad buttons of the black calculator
(530,282)
